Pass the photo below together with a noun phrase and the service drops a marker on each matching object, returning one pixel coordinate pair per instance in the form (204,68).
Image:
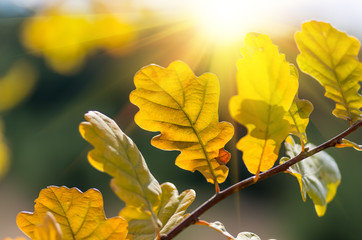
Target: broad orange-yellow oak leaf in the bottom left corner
(80,215)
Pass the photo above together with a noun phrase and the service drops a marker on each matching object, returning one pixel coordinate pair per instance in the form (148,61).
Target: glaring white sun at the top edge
(229,20)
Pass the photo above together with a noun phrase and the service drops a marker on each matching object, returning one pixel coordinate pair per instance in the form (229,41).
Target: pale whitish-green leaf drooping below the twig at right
(318,176)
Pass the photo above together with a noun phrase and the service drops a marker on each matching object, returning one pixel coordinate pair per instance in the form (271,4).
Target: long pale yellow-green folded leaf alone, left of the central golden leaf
(116,154)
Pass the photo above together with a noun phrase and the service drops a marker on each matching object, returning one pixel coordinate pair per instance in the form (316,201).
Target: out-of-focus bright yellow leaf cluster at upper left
(76,35)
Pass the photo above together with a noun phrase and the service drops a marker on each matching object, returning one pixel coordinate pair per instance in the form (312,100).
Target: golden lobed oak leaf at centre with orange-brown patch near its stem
(184,108)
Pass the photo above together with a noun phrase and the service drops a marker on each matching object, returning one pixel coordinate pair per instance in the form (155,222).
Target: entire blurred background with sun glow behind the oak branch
(62,58)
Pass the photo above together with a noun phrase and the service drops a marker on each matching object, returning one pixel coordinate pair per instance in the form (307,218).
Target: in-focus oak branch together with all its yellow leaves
(184,109)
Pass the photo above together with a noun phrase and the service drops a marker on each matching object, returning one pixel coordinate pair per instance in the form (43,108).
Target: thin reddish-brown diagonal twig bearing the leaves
(194,216)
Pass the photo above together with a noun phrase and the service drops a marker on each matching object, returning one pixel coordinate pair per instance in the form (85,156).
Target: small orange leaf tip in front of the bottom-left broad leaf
(49,229)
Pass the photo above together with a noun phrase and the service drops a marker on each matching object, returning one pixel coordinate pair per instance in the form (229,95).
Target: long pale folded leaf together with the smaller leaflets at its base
(150,208)
